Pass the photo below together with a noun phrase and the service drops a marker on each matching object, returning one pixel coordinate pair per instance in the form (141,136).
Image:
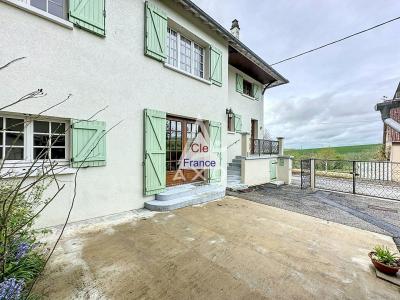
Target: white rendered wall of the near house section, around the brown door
(98,72)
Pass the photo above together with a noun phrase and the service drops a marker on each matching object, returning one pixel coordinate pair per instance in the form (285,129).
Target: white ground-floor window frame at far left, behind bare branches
(28,139)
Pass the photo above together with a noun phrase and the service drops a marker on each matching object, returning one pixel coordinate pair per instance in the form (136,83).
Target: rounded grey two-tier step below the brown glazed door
(185,195)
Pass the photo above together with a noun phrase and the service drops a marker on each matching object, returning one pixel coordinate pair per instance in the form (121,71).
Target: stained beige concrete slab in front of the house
(228,249)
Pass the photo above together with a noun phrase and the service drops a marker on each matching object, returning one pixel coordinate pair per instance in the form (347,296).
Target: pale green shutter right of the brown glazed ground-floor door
(215,135)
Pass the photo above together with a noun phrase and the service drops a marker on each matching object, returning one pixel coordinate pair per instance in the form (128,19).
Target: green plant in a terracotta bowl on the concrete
(384,260)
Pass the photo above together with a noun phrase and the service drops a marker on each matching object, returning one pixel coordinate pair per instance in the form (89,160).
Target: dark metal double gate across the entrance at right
(370,178)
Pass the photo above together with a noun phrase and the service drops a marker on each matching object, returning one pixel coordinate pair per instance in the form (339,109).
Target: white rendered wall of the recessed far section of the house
(245,106)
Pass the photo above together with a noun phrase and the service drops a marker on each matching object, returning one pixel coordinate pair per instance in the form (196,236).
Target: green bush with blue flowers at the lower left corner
(22,256)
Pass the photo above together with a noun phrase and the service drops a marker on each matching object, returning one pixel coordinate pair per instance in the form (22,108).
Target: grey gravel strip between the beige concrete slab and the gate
(374,211)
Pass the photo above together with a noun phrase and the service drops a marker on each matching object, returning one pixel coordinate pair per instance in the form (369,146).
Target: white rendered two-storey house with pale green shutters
(161,71)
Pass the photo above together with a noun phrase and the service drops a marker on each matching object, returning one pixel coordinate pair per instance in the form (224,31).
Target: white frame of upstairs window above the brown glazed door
(178,67)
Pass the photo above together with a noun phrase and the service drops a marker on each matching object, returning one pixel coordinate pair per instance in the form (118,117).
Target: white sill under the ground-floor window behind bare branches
(19,169)
